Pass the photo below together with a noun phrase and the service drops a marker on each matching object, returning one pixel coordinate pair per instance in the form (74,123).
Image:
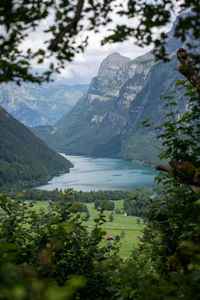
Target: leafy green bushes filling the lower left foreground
(51,255)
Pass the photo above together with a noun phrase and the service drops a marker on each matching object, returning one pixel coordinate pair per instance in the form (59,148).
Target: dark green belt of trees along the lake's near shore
(136,202)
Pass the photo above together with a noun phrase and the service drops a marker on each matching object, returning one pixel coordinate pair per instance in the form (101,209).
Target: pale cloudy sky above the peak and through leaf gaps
(85,65)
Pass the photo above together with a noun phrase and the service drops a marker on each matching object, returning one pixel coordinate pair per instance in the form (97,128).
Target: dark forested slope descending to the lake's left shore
(25,160)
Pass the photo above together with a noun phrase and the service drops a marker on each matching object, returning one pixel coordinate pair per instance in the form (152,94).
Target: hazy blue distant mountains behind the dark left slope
(36,105)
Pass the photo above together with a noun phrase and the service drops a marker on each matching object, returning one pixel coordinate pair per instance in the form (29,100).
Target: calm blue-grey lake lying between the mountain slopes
(93,174)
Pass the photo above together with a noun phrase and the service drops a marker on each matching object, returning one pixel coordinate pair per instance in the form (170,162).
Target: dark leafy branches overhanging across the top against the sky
(65,26)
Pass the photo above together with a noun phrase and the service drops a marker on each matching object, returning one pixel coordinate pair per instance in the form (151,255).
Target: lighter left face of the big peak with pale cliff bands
(95,124)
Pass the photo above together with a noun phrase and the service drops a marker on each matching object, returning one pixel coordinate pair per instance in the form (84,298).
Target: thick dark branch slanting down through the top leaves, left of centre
(68,28)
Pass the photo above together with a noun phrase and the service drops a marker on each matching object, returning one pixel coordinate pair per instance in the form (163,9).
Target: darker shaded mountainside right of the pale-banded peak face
(141,144)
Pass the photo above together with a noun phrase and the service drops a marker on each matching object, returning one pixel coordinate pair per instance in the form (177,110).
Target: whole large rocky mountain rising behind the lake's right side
(124,93)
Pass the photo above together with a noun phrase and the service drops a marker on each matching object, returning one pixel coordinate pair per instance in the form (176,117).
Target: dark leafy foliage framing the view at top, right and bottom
(50,254)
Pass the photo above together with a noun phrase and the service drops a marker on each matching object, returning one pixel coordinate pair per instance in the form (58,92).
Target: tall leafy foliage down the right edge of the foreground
(170,250)
